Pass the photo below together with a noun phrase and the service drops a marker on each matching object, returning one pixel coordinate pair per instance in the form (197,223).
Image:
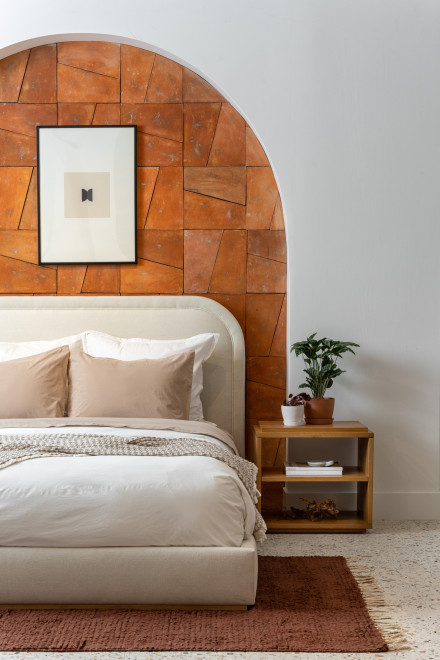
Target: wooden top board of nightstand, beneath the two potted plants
(276,429)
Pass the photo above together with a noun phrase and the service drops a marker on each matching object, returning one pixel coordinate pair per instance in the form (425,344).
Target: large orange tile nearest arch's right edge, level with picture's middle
(262,193)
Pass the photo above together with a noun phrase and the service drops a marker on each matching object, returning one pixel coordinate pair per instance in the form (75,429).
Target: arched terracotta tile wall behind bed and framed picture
(209,214)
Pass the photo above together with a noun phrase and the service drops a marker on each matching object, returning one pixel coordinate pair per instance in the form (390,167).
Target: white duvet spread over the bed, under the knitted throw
(92,501)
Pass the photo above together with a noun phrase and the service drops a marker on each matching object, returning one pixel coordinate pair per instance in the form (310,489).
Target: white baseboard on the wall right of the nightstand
(407,506)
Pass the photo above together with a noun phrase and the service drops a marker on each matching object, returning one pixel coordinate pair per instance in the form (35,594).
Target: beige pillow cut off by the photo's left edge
(34,386)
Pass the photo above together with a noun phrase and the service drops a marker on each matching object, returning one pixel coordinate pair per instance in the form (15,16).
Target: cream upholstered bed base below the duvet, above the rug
(186,577)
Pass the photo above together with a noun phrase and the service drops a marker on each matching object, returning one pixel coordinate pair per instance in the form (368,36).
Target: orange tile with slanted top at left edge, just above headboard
(21,277)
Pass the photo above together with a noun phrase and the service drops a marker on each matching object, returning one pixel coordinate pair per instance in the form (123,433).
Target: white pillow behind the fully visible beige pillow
(99,344)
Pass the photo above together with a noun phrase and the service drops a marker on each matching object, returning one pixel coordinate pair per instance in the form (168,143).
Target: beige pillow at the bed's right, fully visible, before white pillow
(104,387)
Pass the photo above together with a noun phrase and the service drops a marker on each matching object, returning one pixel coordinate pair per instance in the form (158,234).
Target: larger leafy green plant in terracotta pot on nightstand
(320,357)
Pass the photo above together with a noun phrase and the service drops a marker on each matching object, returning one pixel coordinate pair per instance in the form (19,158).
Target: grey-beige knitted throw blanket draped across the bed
(17,448)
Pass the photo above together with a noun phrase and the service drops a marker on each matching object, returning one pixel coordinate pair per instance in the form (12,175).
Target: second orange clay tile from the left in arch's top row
(40,79)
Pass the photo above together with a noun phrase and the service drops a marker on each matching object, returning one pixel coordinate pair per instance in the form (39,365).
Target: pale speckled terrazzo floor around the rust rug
(404,557)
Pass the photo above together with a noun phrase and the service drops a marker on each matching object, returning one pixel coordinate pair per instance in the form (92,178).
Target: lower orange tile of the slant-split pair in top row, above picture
(78,86)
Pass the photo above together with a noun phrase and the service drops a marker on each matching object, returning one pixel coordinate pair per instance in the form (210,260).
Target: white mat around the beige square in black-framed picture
(87,240)
